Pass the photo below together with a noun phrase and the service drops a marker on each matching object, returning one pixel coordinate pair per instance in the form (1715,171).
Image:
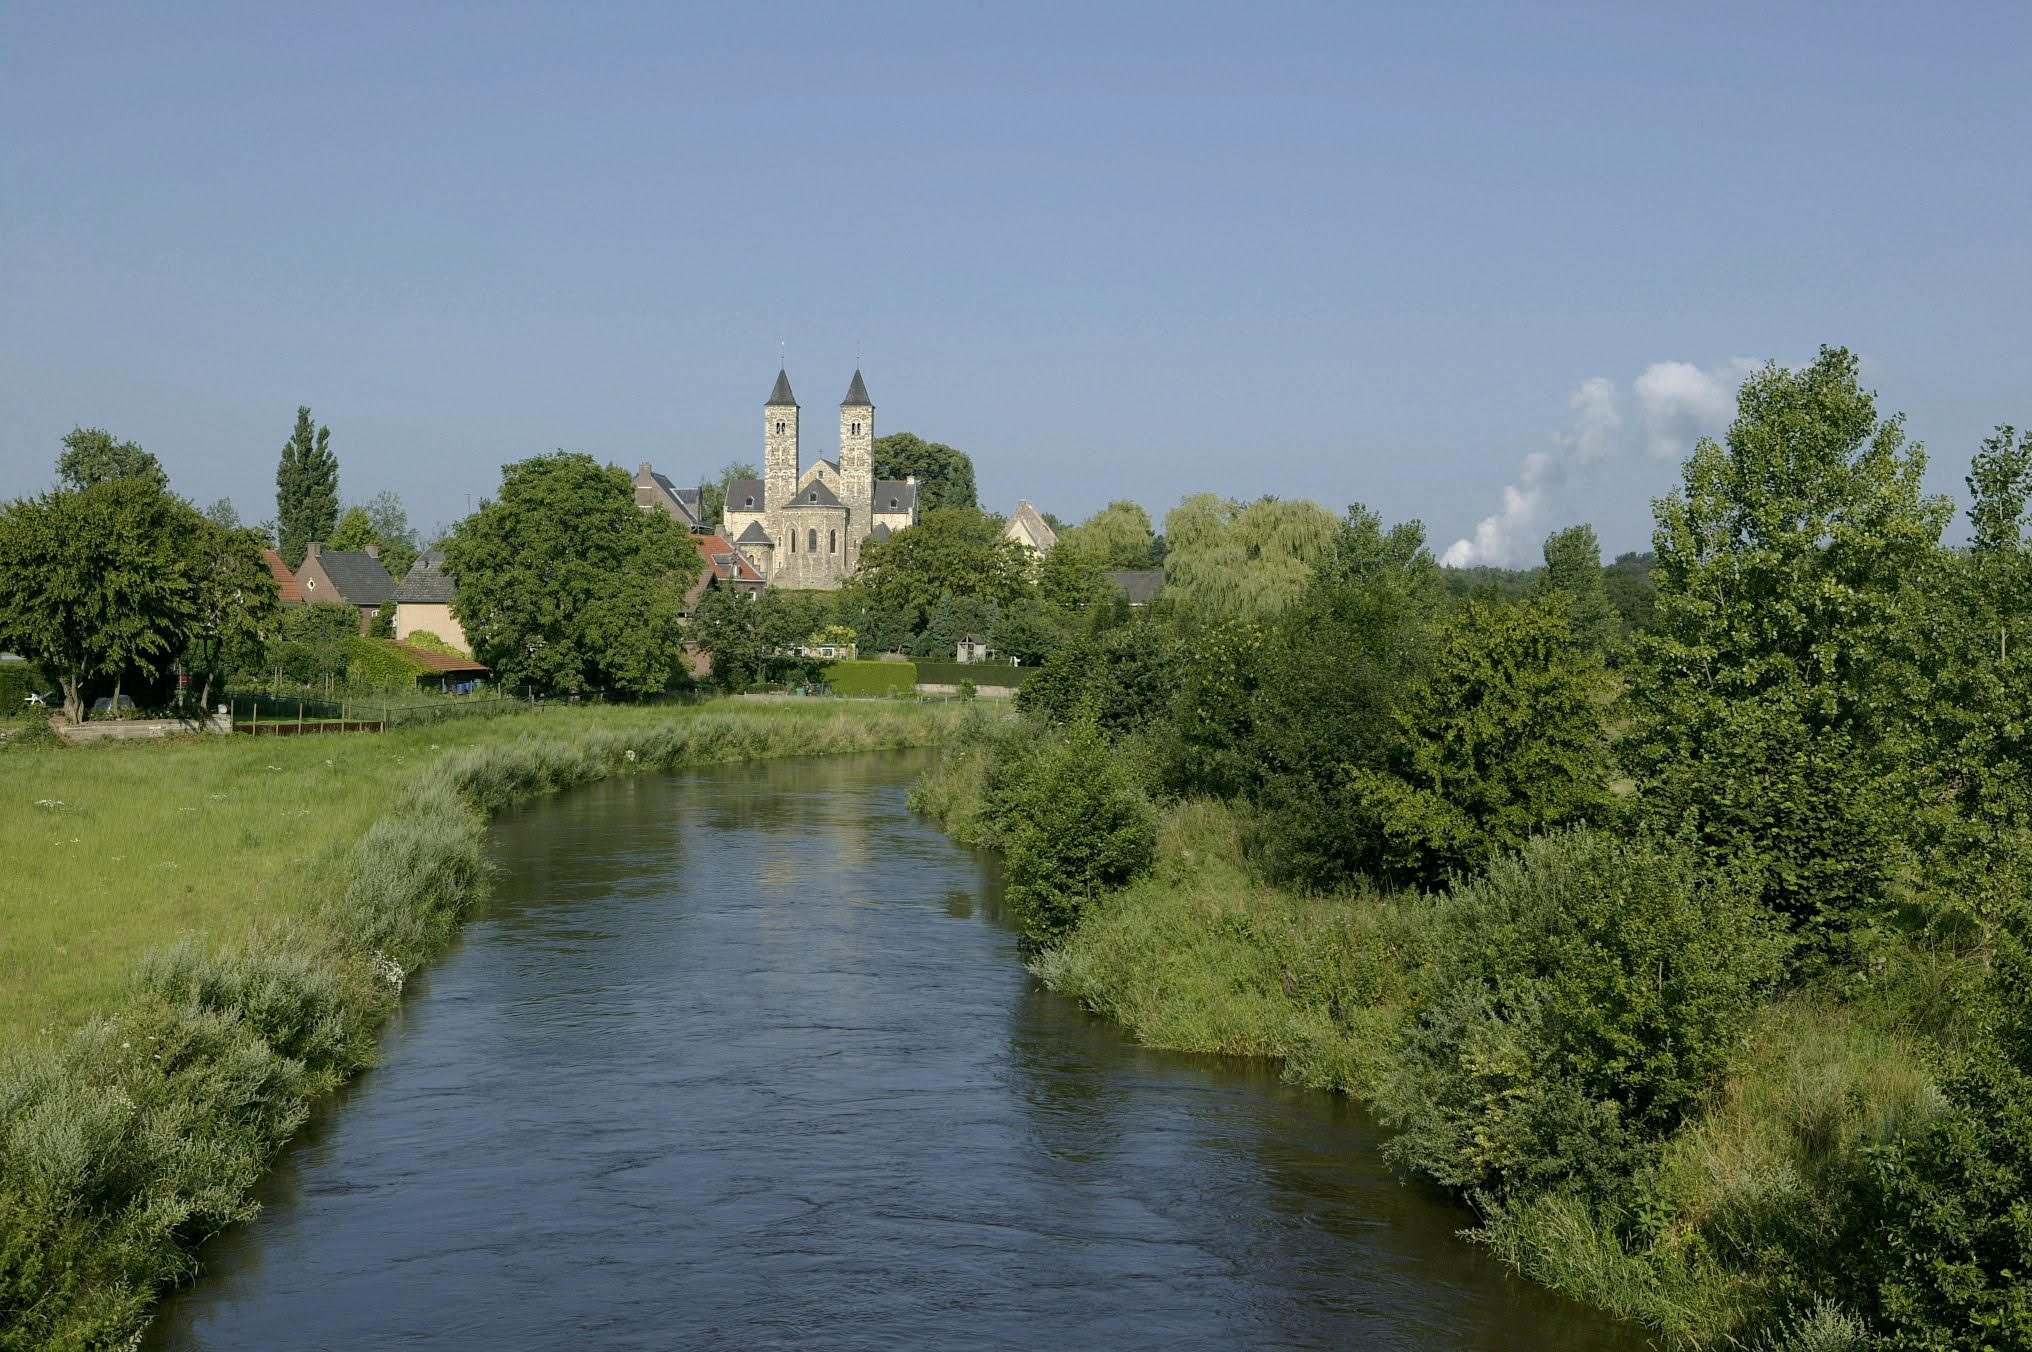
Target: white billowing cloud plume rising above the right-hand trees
(1675,406)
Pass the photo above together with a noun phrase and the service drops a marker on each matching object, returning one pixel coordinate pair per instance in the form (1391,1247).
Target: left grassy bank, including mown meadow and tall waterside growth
(310,879)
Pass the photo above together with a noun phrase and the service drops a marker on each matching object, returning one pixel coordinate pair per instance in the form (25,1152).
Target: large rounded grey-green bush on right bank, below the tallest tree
(1580,1001)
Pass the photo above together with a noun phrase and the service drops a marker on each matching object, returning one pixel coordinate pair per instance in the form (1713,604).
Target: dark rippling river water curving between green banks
(749,1058)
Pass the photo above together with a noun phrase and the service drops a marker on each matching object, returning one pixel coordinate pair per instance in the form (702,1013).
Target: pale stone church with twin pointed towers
(806,528)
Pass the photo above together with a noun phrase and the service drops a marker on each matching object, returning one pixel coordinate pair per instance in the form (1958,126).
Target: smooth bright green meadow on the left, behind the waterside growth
(119,849)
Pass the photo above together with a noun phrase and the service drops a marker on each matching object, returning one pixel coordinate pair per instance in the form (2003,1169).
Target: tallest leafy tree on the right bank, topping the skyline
(1773,692)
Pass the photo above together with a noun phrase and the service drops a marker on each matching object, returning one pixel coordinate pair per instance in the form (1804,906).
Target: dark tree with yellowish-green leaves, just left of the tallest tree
(1499,741)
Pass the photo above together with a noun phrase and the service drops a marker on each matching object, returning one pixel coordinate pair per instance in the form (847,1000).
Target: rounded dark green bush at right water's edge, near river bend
(1078,828)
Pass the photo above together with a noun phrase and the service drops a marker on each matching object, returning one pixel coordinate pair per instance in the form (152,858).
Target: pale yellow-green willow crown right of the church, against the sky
(1245,562)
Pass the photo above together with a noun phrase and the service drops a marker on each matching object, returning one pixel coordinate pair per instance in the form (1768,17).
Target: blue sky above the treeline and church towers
(1430,259)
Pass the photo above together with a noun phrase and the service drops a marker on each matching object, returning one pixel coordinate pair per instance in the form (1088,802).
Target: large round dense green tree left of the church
(568,587)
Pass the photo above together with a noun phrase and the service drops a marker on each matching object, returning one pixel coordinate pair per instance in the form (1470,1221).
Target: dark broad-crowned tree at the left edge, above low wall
(101,582)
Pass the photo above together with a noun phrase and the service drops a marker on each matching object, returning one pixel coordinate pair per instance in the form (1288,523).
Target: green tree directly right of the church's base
(950,552)
